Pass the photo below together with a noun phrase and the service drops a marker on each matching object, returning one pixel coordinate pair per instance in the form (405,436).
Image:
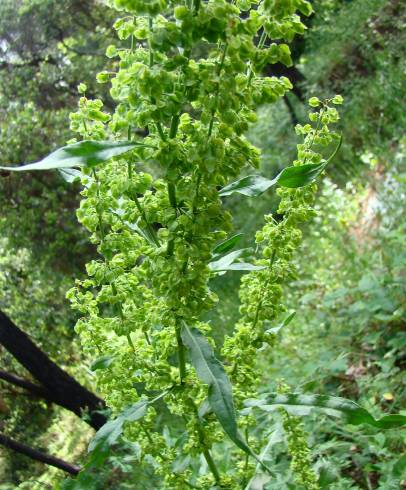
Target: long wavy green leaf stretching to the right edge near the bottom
(336,406)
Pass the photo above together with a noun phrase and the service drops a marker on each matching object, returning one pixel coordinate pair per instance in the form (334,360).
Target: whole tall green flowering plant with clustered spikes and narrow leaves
(192,76)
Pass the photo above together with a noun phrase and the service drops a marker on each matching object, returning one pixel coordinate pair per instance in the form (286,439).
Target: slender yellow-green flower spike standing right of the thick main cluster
(261,290)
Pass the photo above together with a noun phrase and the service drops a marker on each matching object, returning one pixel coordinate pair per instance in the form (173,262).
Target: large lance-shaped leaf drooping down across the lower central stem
(220,394)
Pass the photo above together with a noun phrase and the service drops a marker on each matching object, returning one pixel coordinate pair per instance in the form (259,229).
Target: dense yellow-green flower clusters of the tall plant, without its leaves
(190,79)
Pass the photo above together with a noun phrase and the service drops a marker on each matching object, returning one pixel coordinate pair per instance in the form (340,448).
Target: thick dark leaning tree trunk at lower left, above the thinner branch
(63,389)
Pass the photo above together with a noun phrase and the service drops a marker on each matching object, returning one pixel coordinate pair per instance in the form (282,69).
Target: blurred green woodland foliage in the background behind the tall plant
(348,336)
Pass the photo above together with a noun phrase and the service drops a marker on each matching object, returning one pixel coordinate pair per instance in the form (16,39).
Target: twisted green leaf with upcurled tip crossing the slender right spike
(291,177)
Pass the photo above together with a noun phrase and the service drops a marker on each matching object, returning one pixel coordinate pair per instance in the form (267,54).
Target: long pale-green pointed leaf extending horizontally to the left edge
(84,153)
